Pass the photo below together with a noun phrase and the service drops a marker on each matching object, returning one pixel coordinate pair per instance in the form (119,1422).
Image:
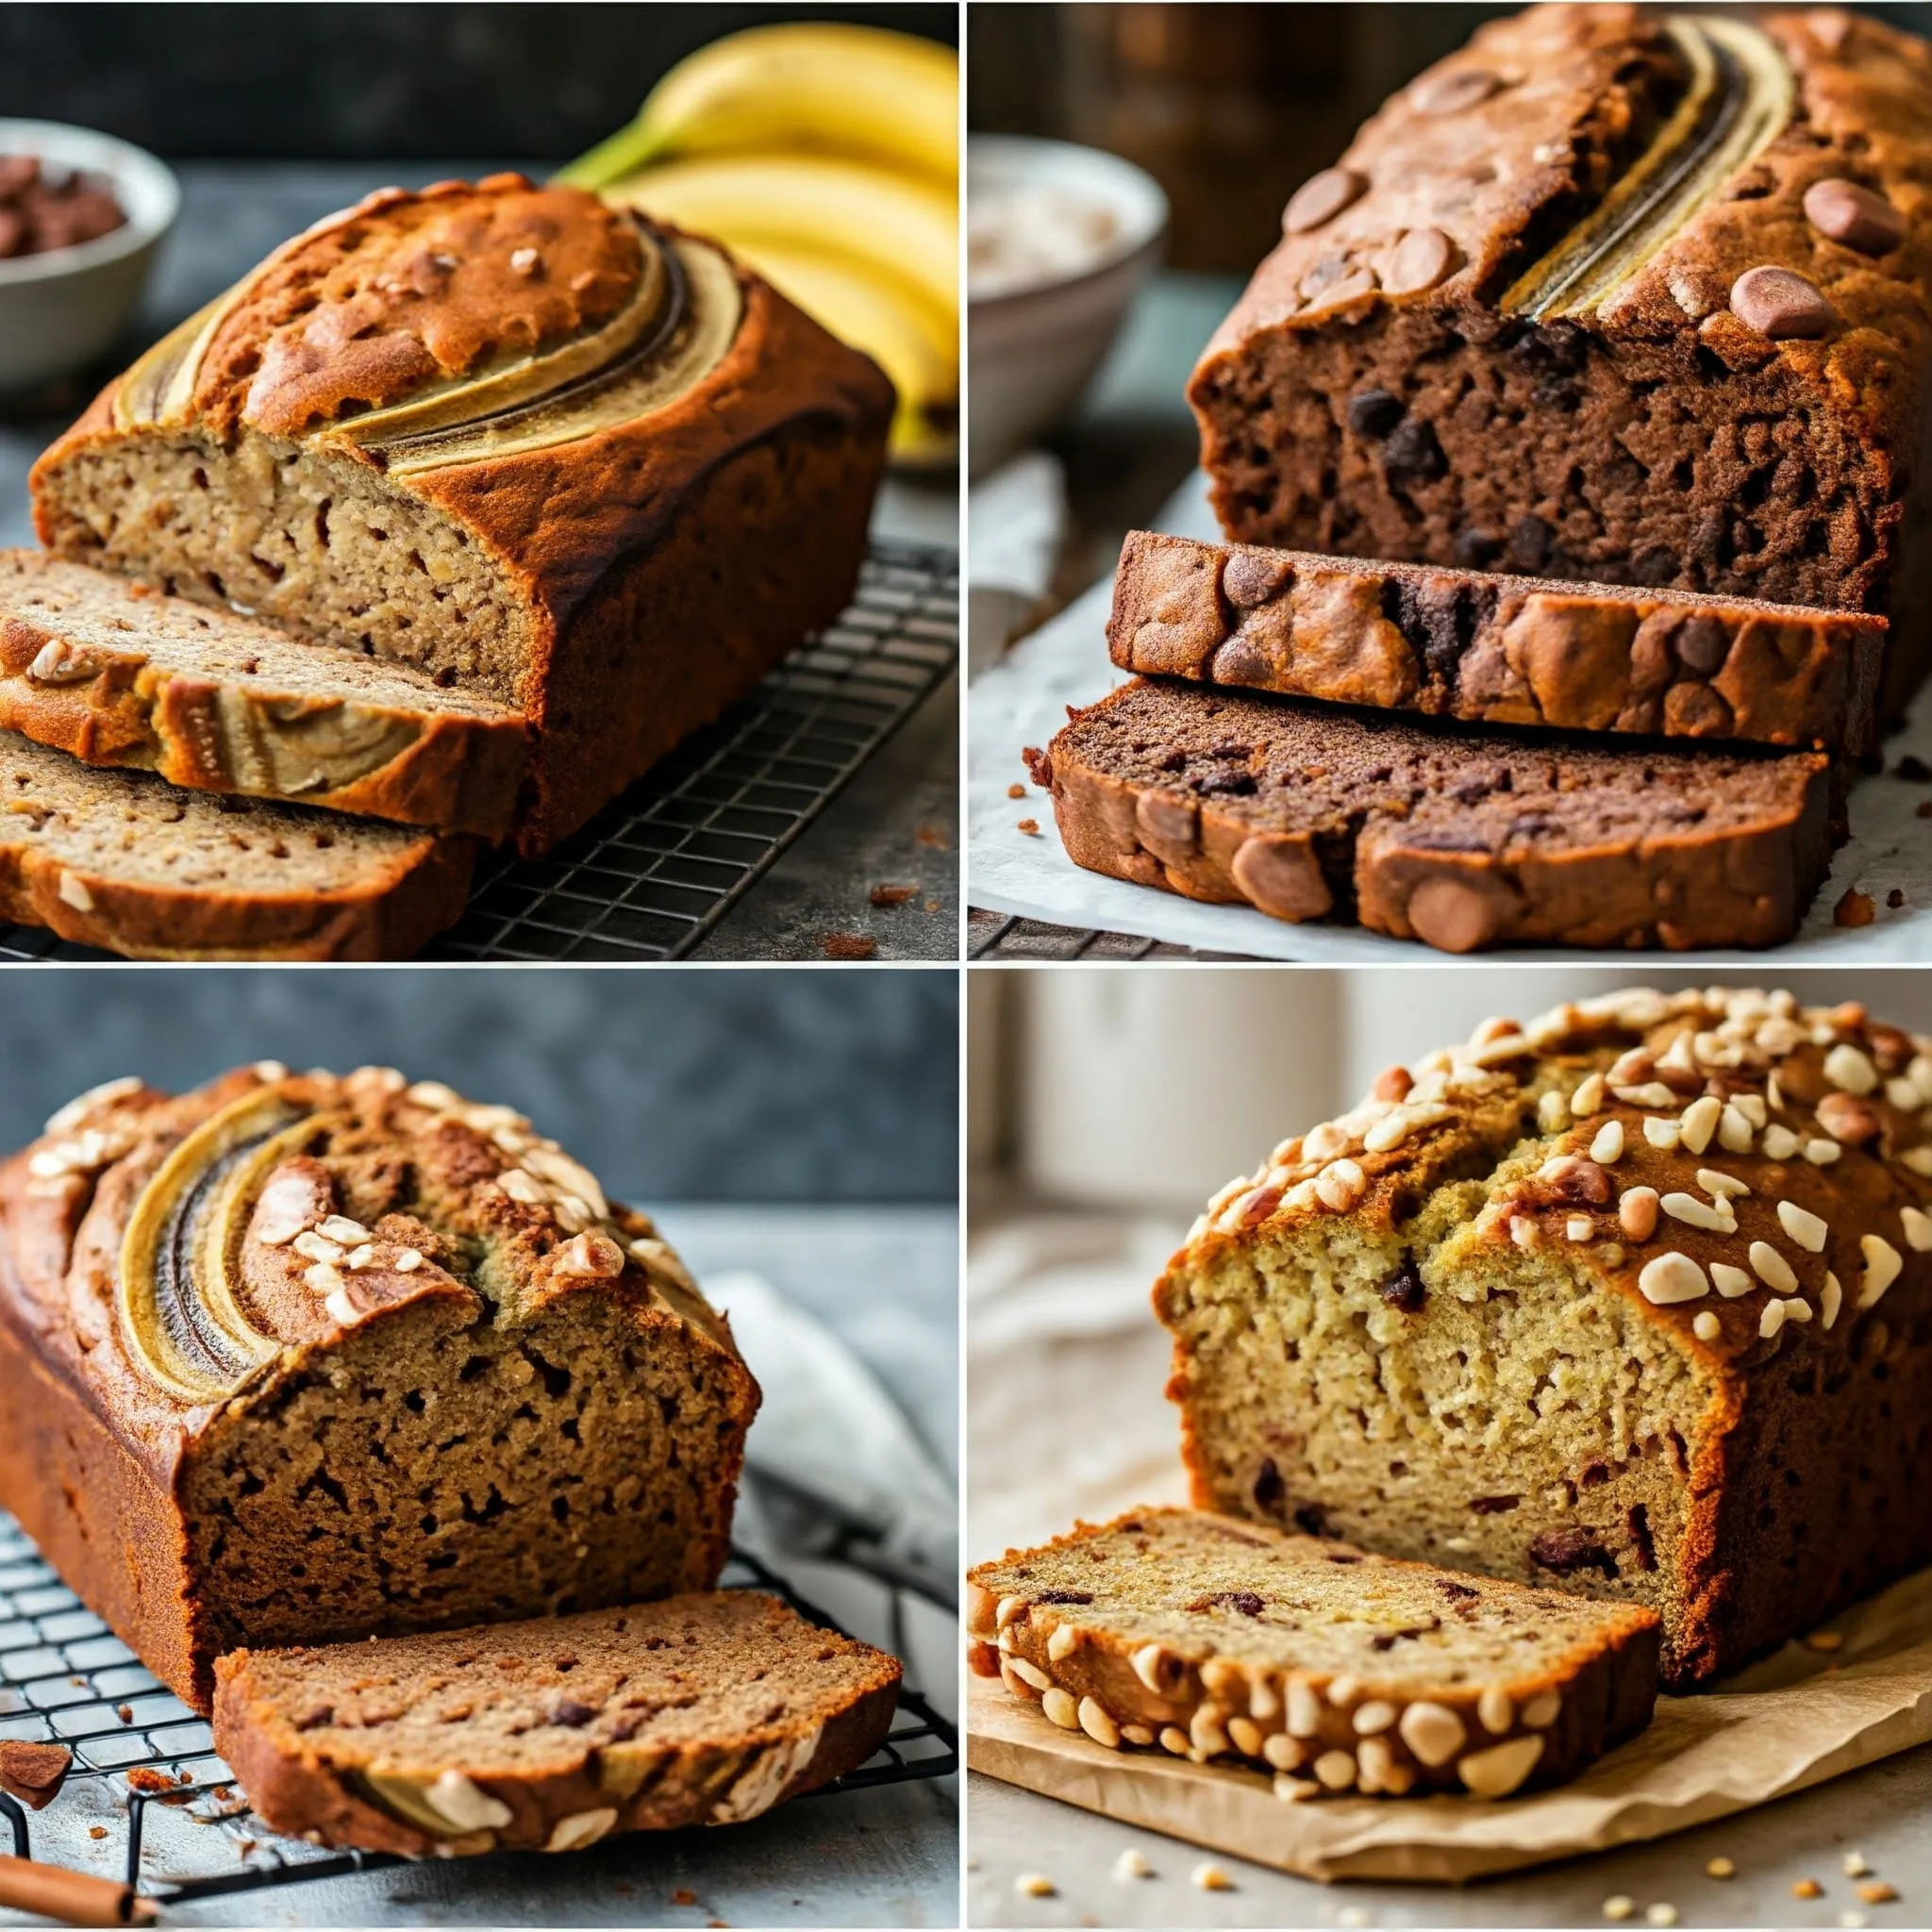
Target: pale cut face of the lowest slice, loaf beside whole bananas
(132,828)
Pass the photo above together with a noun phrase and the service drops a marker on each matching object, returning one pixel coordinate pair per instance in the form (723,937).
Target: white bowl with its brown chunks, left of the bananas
(80,221)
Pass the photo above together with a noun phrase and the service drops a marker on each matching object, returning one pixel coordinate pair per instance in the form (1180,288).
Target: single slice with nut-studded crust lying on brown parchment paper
(1334,1668)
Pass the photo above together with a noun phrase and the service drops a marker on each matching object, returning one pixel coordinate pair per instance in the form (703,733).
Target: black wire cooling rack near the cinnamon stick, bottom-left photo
(150,1802)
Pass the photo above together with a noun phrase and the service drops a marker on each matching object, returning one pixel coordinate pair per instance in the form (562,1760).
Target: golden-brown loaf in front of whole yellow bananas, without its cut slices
(544,453)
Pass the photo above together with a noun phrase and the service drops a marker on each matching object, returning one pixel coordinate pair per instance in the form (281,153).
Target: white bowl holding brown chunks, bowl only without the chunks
(63,310)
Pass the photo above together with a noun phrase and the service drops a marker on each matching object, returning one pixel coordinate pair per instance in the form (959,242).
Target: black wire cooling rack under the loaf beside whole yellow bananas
(660,868)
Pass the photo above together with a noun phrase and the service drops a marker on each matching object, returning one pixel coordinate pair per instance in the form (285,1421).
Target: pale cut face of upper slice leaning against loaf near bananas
(99,613)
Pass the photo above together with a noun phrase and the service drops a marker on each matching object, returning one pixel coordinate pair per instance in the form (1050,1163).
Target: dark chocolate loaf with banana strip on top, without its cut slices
(1614,297)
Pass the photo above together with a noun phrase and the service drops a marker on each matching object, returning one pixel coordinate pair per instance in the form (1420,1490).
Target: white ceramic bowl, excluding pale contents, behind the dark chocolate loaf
(1033,351)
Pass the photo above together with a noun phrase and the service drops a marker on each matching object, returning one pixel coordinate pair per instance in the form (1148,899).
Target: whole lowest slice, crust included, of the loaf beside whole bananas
(127,863)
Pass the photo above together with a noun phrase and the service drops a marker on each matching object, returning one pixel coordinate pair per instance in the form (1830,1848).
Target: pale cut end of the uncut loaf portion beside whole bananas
(298,538)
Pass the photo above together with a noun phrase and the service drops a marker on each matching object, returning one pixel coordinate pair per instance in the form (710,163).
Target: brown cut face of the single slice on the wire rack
(724,1668)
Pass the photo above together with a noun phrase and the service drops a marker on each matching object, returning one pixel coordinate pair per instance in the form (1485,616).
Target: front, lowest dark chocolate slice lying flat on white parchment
(1452,836)
